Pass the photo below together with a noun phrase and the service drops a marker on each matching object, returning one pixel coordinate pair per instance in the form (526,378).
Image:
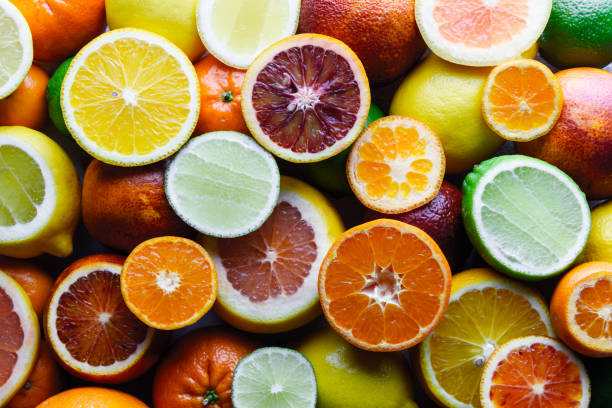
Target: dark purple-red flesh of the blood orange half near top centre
(306,99)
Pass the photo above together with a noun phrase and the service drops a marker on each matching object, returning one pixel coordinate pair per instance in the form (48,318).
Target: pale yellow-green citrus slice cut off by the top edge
(236,32)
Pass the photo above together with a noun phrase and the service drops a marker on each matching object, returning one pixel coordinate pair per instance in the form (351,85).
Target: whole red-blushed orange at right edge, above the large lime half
(580,144)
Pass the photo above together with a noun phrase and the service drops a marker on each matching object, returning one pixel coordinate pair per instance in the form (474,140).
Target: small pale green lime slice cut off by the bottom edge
(274,377)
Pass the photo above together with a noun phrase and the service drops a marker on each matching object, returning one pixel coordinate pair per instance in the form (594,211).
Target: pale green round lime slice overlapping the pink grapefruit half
(223,184)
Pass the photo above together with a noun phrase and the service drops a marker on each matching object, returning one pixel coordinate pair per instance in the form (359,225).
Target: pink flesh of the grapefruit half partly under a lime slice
(275,259)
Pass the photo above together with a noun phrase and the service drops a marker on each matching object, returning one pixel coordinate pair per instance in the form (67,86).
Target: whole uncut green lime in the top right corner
(578,34)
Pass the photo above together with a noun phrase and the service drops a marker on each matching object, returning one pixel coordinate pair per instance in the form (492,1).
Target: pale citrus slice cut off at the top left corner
(15,46)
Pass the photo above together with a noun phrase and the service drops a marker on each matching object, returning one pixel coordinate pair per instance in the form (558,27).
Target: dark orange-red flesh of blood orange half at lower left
(95,324)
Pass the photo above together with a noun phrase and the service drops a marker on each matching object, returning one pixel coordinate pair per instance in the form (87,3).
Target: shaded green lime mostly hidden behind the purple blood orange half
(330,174)
